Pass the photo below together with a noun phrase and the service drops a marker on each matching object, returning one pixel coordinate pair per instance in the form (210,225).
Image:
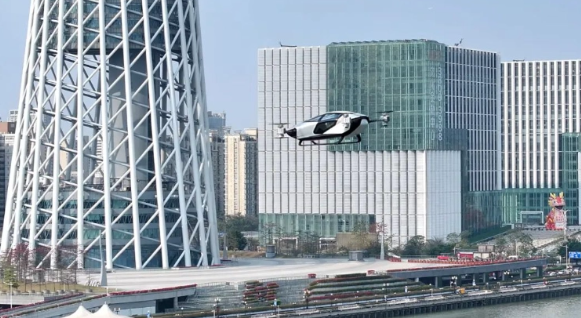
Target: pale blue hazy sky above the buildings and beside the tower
(233,31)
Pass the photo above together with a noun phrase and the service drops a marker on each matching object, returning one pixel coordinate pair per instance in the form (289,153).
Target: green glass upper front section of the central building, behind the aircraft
(407,77)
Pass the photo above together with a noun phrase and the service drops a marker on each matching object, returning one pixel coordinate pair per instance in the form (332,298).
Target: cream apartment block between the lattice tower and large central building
(241,173)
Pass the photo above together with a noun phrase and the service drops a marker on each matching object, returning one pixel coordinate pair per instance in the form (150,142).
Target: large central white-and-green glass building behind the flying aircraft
(432,172)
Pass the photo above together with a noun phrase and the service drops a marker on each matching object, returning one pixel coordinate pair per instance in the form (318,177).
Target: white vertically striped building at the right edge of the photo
(541,117)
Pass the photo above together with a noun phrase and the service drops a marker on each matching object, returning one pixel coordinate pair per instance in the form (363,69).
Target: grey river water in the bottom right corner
(566,307)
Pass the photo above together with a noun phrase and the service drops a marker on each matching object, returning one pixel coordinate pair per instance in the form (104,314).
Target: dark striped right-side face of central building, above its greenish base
(473,105)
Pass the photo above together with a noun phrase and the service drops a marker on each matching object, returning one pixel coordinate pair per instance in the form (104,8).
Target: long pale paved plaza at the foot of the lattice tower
(247,269)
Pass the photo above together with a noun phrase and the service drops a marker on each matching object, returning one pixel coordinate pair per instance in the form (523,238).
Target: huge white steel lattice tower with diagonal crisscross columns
(111,141)
